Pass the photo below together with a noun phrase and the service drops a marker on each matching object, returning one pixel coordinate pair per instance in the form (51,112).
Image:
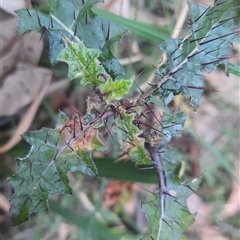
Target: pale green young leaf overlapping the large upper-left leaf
(84,60)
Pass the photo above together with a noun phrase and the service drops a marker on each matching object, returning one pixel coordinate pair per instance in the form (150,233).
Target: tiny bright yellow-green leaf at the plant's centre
(115,90)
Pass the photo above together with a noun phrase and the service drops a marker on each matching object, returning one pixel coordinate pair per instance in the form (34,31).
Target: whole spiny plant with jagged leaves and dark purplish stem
(83,40)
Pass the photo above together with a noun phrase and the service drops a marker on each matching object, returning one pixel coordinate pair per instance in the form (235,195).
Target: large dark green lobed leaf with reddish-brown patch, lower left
(43,172)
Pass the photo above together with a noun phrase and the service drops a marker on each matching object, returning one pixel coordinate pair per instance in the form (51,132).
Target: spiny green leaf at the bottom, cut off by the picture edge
(170,219)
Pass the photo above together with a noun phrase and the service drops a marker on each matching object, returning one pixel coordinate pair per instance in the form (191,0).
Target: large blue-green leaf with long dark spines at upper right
(204,48)
